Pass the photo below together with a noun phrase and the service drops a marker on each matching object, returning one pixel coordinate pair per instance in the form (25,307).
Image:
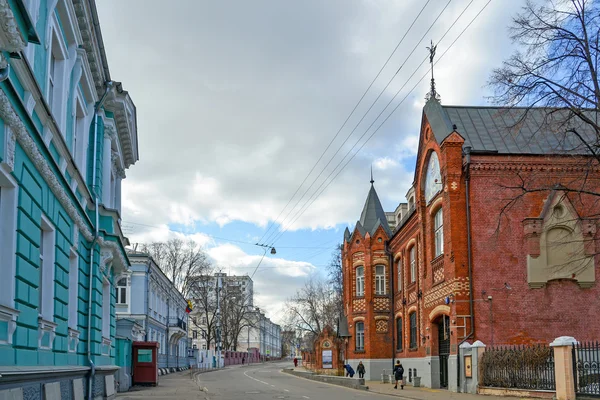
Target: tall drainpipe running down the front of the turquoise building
(109,87)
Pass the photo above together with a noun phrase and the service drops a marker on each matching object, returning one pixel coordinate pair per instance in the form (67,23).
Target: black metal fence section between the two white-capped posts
(518,367)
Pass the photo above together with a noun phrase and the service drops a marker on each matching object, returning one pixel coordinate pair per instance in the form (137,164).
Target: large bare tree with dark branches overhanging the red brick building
(552,77)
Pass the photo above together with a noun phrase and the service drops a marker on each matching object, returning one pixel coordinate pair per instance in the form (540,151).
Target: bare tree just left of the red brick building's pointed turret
(313,307)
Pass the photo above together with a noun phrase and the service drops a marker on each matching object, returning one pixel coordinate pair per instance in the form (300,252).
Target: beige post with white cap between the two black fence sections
(563,367)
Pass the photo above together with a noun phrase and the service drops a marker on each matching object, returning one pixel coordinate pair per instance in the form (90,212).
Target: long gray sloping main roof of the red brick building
(508,130)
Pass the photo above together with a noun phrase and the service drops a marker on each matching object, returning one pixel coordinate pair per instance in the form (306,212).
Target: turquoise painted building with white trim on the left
(68,133)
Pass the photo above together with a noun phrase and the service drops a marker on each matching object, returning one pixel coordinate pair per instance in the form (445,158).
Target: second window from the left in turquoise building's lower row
(46,271)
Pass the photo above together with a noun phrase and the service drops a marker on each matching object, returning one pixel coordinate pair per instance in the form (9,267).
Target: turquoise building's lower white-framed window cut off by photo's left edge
(8,245)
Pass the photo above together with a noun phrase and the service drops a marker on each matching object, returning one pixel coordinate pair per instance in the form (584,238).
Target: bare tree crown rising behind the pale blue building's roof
(180,260)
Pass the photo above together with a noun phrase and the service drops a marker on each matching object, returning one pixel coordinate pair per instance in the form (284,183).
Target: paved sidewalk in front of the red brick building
(414,393)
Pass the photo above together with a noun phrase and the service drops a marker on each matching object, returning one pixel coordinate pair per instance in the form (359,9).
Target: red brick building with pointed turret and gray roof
(498,200)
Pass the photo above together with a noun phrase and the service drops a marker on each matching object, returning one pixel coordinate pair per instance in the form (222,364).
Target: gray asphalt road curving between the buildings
(265,381)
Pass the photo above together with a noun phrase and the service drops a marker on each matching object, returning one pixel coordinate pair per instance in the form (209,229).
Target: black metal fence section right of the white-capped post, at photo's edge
(586,368)
